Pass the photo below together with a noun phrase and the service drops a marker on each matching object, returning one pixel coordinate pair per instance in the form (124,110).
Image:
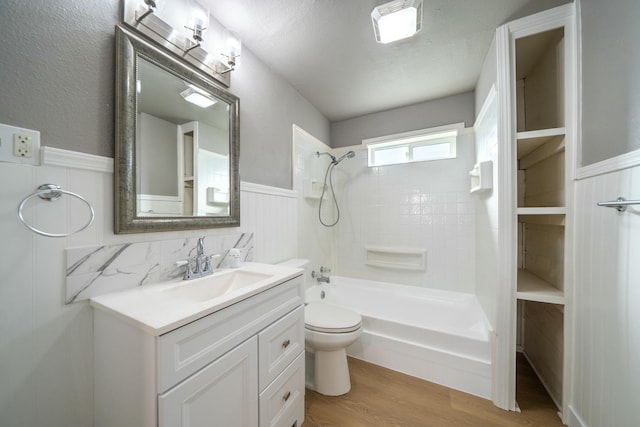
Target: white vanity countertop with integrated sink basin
(163,307)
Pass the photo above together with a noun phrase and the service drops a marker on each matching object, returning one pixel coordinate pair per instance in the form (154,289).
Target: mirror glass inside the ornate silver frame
(177,120)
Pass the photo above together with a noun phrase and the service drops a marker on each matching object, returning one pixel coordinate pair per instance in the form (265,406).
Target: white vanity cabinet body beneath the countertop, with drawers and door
(242,365)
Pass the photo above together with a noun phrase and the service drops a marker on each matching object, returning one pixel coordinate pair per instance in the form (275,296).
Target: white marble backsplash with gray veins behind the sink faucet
(97,270)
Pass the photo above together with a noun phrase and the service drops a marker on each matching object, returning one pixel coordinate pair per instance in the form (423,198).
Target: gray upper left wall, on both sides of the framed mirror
(57,73)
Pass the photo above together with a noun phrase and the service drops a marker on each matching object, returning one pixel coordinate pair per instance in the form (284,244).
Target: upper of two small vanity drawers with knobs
(279,345)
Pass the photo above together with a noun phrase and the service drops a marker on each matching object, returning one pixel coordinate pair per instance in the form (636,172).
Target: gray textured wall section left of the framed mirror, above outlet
(57,68)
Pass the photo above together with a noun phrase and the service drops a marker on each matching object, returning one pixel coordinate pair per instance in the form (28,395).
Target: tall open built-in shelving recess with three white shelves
(541,209)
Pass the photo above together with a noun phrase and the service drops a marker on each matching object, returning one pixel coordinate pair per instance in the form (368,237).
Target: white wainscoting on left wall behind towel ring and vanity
(45,350)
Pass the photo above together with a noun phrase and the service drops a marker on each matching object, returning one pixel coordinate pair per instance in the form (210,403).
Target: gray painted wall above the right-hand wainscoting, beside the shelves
(610,88)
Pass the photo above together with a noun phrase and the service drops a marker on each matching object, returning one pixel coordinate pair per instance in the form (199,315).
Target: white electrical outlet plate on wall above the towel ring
(19,145)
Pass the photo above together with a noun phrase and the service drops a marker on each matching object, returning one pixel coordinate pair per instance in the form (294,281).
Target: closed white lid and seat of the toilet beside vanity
(322,317)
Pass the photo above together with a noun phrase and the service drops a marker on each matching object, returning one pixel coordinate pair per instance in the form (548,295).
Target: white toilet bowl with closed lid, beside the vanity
(329,330)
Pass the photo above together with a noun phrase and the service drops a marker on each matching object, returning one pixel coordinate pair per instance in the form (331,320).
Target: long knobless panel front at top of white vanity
(188,349)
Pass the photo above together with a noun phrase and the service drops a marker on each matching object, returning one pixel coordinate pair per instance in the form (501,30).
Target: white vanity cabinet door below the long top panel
(224,393)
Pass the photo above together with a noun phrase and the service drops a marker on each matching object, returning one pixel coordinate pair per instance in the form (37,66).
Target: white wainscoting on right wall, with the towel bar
(606,358)
